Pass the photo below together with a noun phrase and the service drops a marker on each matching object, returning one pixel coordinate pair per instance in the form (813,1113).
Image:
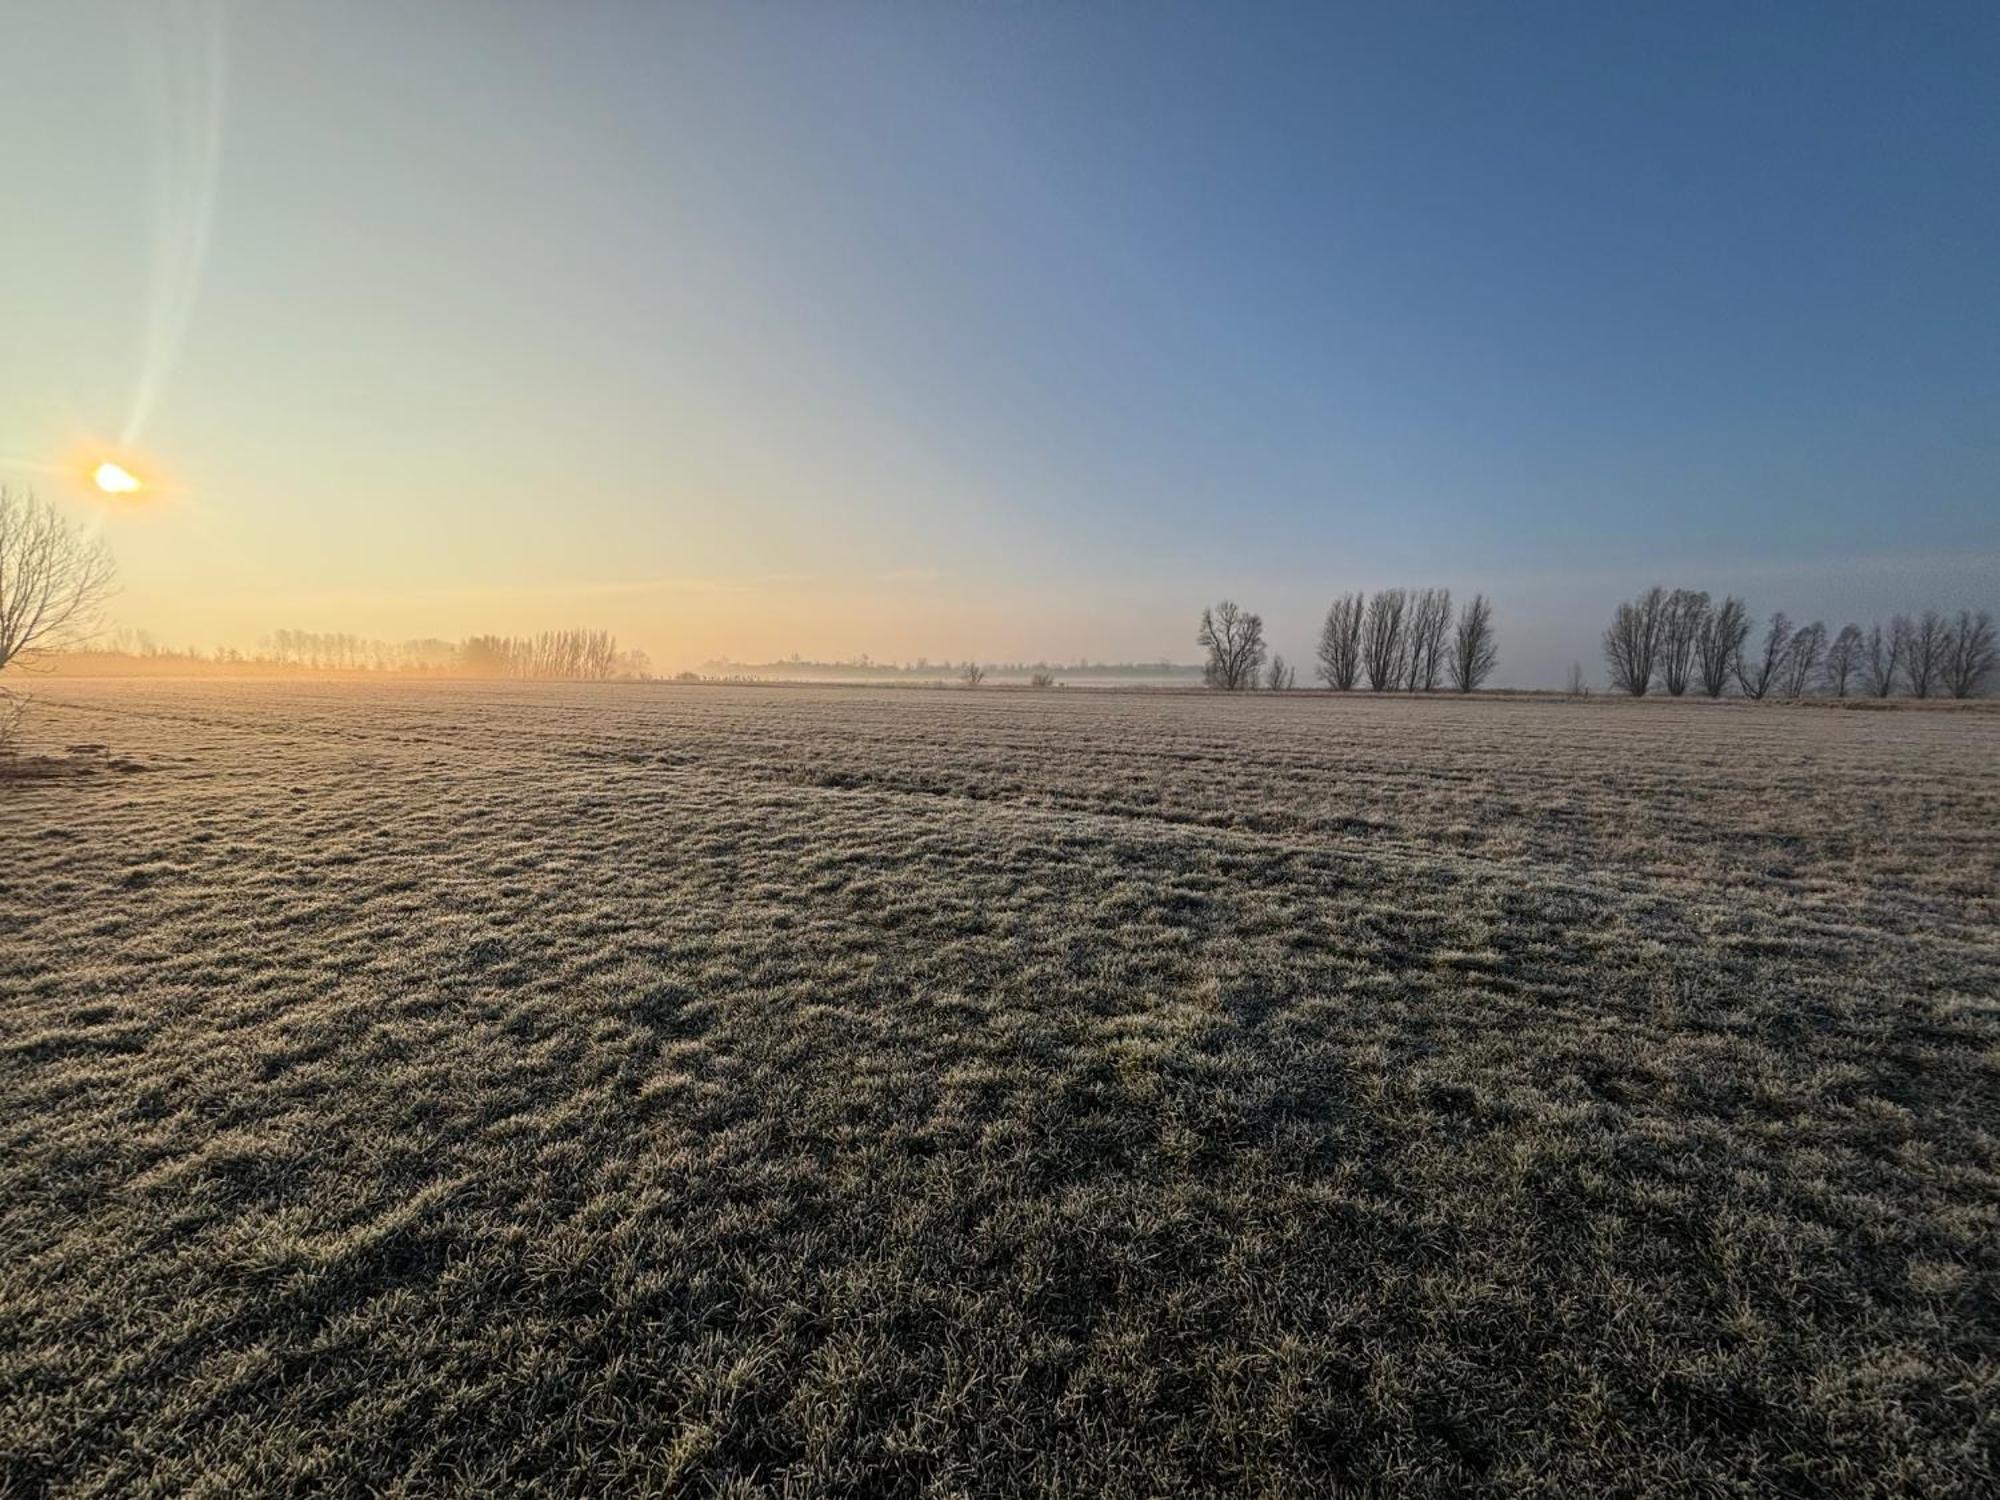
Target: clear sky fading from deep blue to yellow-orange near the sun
(1005,331)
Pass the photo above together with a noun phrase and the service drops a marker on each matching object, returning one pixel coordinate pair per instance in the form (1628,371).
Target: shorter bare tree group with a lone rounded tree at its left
(1391,641)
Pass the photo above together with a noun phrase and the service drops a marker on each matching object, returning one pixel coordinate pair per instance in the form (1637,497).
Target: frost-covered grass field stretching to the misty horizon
(837,1091)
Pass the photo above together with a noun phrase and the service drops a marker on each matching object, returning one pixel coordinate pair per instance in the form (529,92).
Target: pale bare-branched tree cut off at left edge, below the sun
(53,587)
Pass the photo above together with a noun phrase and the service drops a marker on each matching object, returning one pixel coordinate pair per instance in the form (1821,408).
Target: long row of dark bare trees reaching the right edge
(1679,639)
